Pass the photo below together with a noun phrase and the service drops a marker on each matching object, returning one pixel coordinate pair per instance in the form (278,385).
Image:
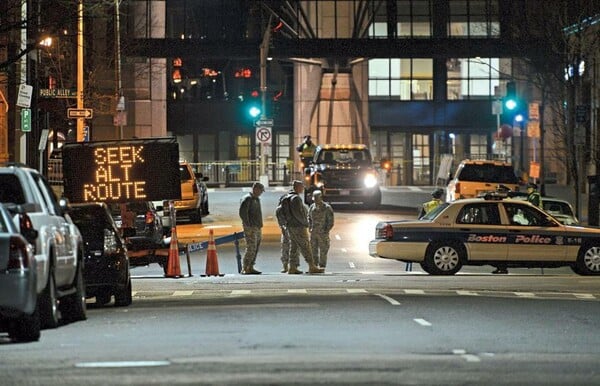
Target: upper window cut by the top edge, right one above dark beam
(474,18)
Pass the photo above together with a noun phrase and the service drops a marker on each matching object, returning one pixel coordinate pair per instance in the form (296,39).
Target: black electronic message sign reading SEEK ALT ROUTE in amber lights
(122,171)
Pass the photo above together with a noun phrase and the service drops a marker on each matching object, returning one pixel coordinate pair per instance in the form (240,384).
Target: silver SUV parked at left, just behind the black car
(58,246)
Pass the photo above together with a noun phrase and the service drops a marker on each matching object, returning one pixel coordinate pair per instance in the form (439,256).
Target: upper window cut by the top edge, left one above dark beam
(402,18)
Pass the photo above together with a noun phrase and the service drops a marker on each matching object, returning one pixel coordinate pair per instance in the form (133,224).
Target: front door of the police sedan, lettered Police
(532,235)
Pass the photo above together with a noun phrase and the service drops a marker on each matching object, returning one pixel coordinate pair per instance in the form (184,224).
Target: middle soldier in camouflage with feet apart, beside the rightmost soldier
(297,226)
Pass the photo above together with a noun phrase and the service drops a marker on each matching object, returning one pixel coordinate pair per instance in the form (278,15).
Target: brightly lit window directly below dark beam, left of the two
(401,79)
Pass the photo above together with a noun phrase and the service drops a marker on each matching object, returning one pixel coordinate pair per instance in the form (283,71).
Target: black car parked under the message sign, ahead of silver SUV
(106,269)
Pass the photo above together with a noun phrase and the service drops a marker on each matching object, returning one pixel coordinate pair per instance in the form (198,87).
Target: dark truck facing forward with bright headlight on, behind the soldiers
(344,173)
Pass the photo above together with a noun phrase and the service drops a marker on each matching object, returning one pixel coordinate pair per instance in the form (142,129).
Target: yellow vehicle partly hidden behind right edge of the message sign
(194,195)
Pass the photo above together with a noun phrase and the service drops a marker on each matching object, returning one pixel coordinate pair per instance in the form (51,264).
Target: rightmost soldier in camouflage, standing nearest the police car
(320,222)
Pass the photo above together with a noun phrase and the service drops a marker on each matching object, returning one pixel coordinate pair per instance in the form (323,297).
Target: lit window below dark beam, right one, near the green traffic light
(475,78)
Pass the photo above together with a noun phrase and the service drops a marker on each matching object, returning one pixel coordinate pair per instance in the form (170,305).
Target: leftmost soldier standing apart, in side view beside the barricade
(251,215)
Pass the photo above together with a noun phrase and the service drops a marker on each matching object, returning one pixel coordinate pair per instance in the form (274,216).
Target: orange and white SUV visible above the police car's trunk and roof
(475,177)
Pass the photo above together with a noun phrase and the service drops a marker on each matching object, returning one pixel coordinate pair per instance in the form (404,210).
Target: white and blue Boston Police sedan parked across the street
(492,230)
